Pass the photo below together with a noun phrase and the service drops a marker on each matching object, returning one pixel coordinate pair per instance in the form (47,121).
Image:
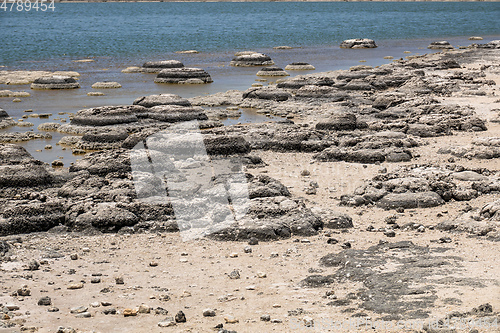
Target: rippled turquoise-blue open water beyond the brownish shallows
(149,29)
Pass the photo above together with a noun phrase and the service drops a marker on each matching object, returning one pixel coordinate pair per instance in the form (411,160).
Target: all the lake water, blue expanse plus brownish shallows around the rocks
(118,35)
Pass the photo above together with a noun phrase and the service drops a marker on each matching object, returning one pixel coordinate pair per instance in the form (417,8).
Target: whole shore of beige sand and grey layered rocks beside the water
(379,198)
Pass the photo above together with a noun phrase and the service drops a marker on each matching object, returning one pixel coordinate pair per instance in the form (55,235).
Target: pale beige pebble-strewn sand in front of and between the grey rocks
(302,283)
